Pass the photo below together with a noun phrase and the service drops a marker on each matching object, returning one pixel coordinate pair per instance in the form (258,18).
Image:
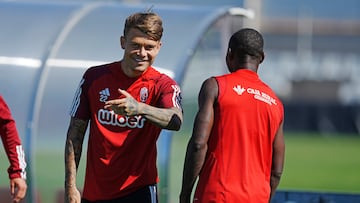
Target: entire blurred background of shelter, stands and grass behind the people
(312,62)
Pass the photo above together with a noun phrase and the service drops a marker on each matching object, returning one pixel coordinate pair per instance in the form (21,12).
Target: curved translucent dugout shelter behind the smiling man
(47,46)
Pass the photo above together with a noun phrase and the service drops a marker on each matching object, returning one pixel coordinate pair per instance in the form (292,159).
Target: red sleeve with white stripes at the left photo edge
(11,142)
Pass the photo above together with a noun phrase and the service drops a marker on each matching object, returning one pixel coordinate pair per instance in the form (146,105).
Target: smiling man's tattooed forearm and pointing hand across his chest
(168,118)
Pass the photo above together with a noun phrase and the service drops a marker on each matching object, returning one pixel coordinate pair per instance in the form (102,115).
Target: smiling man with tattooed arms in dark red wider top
(127,104)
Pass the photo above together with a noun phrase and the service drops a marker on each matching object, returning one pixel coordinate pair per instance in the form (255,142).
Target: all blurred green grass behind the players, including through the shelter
(313,163)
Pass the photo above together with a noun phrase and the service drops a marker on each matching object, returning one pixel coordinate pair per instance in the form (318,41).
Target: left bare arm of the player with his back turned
(197,146)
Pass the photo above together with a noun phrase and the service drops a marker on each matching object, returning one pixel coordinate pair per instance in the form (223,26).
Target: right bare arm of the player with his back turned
(277,159)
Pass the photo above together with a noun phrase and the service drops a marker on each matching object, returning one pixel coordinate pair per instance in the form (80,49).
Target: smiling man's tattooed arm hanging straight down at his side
(73,148)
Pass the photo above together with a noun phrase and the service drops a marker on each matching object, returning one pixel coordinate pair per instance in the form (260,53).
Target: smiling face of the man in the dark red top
(139,52)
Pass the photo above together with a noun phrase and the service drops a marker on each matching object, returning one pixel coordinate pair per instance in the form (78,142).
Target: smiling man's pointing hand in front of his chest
(126,106)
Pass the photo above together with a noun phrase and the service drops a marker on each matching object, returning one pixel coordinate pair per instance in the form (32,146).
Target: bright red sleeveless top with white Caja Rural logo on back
(238,161)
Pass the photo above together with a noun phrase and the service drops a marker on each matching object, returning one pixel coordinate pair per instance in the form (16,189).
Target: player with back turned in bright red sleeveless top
(237,145)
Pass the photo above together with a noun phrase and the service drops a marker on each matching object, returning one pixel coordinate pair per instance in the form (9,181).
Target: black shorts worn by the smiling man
(146,194)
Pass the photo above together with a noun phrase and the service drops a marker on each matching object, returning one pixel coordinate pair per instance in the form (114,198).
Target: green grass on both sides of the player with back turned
(329,163)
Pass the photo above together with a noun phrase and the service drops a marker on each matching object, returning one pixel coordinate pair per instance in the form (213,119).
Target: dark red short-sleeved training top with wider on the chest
(121,156)
